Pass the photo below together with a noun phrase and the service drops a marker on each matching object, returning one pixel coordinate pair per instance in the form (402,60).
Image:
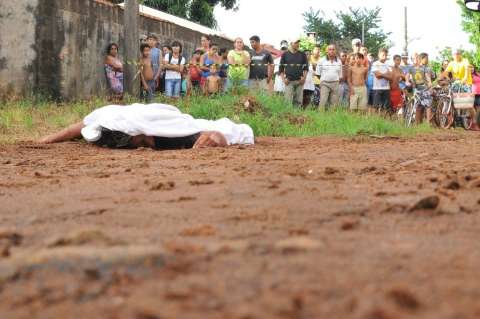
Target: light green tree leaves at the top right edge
(471,25)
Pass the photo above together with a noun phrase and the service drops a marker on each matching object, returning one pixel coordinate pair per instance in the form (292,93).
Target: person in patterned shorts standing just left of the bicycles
(421,79)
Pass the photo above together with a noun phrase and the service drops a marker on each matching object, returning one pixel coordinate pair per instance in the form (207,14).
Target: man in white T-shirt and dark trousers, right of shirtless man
(381,82)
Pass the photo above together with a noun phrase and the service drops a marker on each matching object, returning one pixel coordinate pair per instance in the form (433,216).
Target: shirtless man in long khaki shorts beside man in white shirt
(357,81)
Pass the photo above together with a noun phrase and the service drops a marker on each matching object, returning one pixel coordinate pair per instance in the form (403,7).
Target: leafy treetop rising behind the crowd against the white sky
(348,26)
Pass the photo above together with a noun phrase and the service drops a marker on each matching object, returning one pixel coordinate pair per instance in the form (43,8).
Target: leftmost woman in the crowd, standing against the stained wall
(114,72)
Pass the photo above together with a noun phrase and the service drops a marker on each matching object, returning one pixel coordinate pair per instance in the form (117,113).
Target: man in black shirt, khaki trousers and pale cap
(294,68)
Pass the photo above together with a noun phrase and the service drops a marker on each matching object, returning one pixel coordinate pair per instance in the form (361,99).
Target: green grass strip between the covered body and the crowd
(28,120)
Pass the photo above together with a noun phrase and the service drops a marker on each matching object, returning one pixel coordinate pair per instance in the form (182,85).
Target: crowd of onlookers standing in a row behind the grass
(352,79)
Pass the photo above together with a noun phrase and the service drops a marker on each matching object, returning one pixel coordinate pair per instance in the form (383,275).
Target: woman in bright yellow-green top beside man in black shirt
(239,61)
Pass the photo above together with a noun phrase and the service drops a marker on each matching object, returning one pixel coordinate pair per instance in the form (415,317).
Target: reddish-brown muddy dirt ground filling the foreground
(289,228)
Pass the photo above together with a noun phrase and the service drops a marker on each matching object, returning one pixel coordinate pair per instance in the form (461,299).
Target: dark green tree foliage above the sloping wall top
(199,11)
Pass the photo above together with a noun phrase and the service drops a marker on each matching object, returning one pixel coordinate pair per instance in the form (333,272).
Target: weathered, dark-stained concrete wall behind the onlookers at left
(57,47)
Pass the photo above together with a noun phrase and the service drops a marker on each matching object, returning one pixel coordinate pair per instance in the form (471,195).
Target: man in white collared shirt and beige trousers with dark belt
(330,72)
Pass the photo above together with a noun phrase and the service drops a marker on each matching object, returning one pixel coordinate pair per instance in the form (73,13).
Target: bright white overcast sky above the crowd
(433,23)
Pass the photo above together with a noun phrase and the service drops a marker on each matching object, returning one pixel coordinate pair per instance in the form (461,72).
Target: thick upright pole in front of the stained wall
(131,37)
